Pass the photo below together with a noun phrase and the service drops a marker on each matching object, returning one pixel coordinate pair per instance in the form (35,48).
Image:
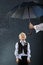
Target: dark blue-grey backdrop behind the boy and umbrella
(9,30)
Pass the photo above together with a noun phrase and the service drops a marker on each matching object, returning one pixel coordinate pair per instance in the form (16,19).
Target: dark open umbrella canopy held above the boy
(27,10)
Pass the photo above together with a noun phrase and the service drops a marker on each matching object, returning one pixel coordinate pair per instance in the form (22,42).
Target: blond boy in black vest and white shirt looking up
(22,50)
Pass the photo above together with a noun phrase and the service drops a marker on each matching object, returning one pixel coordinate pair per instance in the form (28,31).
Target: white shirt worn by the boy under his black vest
(22,54)
